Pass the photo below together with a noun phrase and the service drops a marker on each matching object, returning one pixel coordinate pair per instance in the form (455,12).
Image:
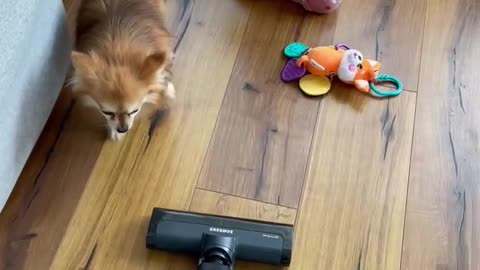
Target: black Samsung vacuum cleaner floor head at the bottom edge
(219,241)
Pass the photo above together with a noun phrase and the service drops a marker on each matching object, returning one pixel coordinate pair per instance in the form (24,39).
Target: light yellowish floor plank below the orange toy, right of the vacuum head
(352,211)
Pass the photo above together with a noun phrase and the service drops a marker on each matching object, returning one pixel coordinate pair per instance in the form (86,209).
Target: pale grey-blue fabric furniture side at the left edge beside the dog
(34,59)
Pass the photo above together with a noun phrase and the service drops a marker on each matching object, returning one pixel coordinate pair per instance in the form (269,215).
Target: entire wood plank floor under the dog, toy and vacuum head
(369,184)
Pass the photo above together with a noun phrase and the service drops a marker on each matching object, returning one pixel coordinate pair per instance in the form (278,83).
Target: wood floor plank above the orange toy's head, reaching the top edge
(390,31)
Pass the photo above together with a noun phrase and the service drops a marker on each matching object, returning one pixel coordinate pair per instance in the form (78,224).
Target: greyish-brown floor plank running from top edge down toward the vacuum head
(262,139)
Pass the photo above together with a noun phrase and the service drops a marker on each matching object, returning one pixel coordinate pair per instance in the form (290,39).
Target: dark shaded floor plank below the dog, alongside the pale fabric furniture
(40,219)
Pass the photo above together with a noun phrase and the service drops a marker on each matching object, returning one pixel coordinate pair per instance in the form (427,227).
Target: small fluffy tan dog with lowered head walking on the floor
(121,59)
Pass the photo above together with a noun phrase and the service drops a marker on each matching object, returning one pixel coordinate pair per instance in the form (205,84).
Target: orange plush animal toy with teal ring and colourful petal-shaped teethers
(347,64)
